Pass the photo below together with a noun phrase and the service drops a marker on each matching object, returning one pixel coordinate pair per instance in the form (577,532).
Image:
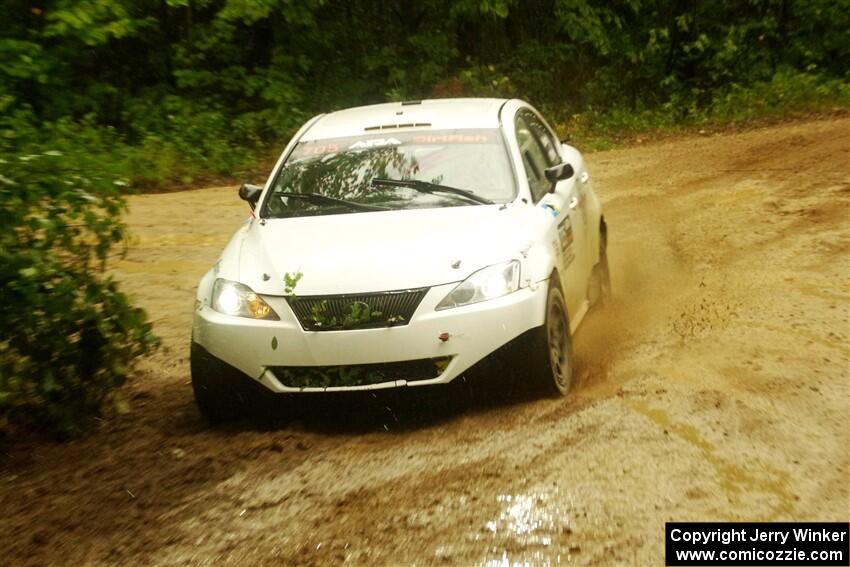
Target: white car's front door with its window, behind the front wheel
(539,151)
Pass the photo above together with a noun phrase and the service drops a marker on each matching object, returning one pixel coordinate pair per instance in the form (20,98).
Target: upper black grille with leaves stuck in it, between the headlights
(356,311)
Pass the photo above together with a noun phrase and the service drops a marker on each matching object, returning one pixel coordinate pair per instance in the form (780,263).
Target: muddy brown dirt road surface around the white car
(714,388)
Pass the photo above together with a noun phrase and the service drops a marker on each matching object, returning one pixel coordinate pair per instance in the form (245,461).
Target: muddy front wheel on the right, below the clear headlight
(551,350)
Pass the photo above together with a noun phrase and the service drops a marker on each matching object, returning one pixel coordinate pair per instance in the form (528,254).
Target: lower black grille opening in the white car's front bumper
(360,374)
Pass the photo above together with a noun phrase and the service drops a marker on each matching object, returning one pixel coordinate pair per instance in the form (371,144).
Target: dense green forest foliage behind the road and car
(199,88)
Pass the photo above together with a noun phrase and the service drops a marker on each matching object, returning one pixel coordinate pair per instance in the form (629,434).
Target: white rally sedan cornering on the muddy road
(397,245)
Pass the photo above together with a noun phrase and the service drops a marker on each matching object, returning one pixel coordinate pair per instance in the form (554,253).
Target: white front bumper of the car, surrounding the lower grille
(256,347)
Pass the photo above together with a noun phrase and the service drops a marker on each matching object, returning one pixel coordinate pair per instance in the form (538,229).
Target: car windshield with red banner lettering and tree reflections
(439,168)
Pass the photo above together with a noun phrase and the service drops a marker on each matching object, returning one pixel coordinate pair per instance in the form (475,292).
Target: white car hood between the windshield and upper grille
(380,251)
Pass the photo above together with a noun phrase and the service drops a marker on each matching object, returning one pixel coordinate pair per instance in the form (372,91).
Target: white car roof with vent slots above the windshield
(433,114)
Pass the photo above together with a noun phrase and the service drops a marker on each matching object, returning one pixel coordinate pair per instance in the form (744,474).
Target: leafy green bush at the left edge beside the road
(69,336)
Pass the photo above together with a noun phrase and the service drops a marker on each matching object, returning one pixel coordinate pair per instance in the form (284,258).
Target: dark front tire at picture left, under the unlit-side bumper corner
(216,394)
